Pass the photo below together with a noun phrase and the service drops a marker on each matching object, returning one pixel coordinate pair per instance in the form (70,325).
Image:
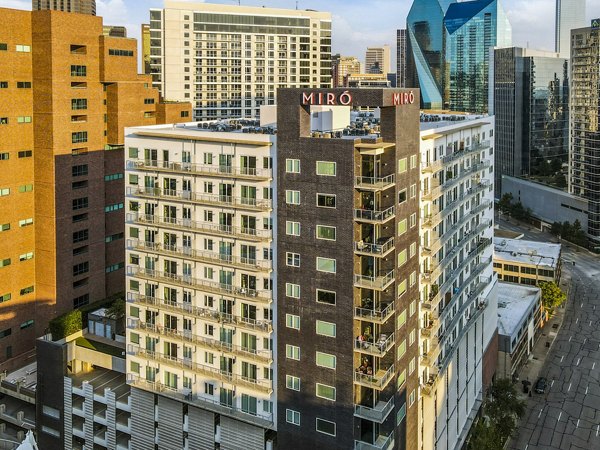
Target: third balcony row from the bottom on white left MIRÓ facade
(264,356)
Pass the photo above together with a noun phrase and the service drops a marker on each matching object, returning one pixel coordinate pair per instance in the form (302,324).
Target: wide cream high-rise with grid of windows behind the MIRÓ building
(230,60)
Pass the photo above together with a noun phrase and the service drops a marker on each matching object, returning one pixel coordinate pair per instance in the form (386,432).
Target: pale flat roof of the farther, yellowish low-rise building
(527,252)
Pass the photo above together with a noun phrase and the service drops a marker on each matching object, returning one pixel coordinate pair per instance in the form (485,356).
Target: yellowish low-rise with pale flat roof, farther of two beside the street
(526,262)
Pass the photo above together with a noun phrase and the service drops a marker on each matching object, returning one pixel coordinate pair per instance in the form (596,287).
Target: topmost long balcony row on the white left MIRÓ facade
(243,173)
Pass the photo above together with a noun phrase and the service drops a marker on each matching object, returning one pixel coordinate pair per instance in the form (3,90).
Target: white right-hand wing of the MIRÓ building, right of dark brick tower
(458,313)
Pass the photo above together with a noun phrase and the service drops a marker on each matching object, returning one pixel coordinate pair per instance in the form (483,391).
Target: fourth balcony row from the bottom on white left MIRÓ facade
(203,313)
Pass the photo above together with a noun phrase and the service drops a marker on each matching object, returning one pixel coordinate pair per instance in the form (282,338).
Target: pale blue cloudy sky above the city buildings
(356,24)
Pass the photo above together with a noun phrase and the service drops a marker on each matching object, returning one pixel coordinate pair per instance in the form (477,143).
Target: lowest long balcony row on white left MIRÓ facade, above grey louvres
(261,419)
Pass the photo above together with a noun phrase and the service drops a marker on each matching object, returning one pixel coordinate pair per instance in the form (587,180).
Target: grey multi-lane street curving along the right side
(567,416)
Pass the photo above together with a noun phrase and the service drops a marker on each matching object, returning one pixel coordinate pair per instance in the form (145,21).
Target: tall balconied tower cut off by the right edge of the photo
(584,119)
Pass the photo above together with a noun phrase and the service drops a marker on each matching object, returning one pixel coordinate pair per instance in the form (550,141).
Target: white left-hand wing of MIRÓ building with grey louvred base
(200,286)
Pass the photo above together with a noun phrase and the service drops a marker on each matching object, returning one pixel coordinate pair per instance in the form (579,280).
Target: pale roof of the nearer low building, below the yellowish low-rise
(514,301)
